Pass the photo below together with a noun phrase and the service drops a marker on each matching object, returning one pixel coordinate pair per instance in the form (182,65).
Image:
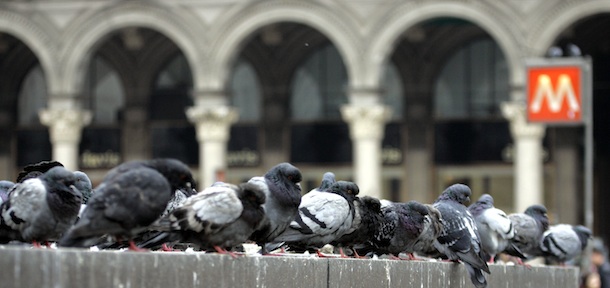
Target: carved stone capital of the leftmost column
(65,124)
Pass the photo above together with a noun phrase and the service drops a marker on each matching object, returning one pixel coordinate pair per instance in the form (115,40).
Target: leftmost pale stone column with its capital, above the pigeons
(65,127)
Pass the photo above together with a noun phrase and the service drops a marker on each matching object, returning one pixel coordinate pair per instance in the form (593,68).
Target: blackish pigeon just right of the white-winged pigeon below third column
(368,217)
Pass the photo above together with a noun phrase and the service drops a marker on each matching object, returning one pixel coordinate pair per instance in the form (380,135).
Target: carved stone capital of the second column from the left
(212,123)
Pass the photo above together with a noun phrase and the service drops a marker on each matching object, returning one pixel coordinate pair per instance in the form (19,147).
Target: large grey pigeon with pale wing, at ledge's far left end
(41,209)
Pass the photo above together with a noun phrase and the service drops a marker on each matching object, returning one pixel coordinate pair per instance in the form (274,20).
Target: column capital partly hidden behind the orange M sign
(516,113)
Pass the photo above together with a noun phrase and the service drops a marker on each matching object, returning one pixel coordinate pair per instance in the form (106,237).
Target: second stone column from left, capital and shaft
(213,126)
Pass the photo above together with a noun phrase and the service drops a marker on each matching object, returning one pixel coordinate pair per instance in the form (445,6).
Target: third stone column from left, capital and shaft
(367,126)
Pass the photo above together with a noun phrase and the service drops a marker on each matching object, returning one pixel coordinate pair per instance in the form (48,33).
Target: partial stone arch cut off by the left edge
(38,38)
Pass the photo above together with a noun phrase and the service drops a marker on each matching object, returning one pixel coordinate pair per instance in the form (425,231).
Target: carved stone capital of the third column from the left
(366,121)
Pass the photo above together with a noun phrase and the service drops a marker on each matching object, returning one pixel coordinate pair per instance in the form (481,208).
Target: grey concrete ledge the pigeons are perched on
(27,267)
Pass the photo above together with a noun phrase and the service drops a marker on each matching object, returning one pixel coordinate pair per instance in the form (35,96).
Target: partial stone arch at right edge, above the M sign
(557,21)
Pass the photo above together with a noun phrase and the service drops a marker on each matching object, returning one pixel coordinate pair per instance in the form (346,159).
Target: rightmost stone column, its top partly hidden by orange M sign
(528,156)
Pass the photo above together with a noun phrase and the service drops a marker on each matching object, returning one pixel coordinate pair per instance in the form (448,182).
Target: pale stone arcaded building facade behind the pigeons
(403,97)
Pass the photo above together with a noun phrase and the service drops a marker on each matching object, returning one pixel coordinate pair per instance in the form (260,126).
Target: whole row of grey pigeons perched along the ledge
(155,204)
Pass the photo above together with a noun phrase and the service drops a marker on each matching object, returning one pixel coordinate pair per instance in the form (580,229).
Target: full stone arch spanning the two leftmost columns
(82,41)
